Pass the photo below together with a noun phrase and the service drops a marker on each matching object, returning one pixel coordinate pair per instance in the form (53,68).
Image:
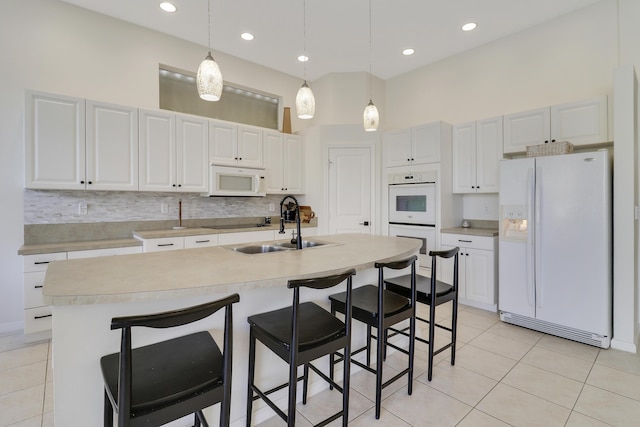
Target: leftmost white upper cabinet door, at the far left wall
(55,142)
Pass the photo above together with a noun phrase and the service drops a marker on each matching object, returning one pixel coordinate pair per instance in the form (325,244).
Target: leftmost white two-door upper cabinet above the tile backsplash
(73,144)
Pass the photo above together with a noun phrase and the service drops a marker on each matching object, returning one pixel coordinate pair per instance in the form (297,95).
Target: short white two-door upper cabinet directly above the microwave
(235,145)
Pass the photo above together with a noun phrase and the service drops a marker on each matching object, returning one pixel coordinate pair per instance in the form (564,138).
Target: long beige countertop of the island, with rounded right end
(164,275)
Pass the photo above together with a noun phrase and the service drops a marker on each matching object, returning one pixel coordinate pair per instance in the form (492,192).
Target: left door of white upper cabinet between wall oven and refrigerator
(464,158)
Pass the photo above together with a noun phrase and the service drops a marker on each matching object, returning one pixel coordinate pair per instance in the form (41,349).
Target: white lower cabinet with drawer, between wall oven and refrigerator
(477,269)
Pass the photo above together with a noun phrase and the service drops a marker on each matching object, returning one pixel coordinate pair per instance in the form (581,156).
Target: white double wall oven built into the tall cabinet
(412,210)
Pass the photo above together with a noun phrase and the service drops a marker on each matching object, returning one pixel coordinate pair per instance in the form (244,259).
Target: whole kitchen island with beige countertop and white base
(87,293)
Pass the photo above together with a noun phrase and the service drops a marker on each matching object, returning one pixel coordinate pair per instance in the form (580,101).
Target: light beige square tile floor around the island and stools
(504,376)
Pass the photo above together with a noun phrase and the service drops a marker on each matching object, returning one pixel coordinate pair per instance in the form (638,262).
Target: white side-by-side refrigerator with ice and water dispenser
(555,246)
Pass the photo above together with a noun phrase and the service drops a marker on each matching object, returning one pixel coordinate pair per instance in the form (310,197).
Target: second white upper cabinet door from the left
(112,147)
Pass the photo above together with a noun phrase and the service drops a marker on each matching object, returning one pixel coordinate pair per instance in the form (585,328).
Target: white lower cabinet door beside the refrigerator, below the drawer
(480,281)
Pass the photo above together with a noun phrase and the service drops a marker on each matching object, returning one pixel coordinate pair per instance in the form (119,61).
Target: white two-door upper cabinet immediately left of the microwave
(173,152)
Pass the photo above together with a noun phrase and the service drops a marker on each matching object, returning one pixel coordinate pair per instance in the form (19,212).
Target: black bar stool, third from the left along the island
(368,302)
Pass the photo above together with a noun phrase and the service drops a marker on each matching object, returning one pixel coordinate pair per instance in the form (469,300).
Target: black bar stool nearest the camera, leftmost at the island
(161,382)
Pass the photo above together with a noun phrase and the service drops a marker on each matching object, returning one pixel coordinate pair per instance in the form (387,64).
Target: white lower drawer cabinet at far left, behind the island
(37,315)
